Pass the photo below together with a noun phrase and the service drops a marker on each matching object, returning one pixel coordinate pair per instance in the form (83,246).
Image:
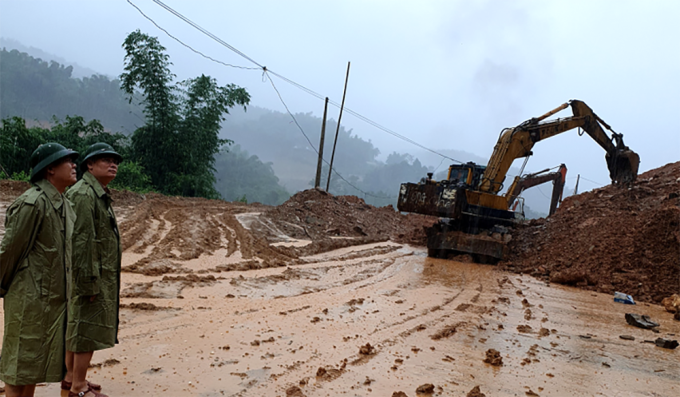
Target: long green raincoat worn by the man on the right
(96,269)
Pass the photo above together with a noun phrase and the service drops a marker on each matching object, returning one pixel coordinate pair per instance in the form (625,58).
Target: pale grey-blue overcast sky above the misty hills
(447,74)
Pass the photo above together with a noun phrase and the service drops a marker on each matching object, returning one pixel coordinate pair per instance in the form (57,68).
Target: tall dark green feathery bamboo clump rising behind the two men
(178,143)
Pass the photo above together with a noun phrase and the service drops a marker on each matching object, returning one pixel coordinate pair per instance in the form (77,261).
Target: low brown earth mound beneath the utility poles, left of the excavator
(316,215)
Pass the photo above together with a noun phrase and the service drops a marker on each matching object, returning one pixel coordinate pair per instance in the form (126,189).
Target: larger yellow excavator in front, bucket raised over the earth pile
(474,218)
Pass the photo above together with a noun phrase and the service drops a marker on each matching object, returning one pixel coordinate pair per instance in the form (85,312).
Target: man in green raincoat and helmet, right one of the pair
(93,308)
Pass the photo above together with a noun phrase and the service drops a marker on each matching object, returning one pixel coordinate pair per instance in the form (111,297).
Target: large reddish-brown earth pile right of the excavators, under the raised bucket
(610,239)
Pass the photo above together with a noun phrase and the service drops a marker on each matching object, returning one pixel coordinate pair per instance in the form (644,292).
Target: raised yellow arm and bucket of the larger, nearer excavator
(517,142)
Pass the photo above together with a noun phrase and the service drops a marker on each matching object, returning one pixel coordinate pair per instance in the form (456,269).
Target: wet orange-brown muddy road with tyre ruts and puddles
(220,299)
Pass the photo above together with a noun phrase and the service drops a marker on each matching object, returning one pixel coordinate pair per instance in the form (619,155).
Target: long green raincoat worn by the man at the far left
(35,261)
